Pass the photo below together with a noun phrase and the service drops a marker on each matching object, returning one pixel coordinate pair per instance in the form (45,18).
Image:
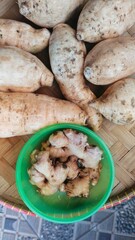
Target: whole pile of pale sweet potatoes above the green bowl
(111,61)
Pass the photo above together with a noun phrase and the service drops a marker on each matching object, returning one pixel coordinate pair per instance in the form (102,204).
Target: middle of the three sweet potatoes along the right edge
(110,60)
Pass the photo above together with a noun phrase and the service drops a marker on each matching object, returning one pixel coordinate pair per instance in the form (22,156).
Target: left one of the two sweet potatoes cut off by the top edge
(48,13)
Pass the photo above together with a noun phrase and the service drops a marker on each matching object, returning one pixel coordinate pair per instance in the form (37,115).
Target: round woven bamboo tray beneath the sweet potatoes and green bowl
(120,140)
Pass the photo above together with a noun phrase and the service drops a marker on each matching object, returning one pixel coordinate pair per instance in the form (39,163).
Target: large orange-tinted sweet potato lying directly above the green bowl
(25,113)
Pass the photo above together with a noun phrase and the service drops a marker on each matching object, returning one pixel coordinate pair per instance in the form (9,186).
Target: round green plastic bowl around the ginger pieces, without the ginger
(59,208)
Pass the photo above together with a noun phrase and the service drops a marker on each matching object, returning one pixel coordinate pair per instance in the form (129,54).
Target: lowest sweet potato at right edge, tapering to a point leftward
(118,102)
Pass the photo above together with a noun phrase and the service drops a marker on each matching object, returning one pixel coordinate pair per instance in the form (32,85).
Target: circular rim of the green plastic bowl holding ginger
(55,127)
